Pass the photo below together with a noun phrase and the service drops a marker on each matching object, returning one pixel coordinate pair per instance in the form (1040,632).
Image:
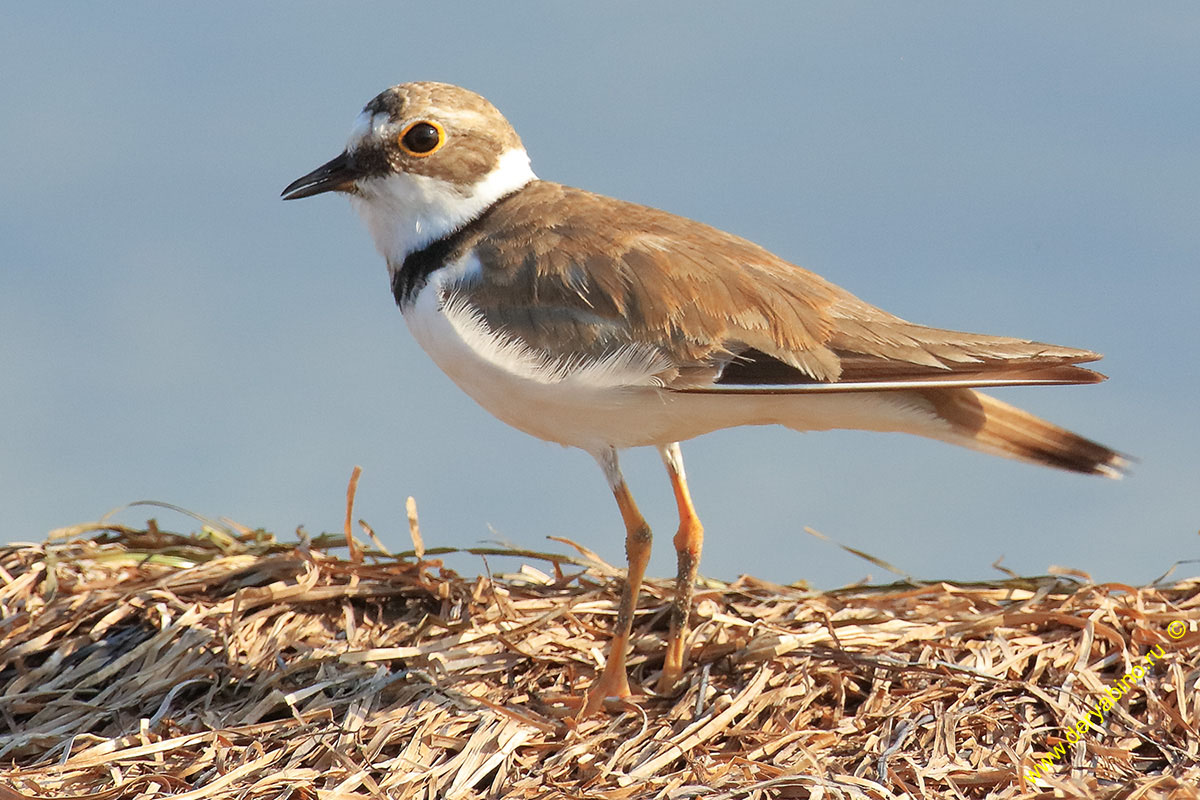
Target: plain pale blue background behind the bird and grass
(171,330)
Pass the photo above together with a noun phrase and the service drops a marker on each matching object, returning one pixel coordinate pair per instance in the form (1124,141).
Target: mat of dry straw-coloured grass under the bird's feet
(227,665)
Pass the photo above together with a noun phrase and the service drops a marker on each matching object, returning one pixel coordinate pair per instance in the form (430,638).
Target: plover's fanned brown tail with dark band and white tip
(989,425)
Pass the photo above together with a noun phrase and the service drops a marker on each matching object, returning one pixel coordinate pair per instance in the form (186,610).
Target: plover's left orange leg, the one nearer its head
(615,681)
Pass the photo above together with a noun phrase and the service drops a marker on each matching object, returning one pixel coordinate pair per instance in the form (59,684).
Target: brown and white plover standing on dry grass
(602,324)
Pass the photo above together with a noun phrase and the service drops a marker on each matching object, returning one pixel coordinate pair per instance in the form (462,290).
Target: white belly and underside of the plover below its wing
(616,405)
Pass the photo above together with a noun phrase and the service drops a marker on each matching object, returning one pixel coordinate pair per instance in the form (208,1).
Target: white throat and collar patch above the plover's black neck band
(406,213)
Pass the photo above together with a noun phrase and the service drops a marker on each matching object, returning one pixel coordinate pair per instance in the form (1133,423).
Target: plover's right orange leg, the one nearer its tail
(688,542)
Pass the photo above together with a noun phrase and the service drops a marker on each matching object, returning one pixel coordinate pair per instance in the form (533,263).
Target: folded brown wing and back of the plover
(578,276)
